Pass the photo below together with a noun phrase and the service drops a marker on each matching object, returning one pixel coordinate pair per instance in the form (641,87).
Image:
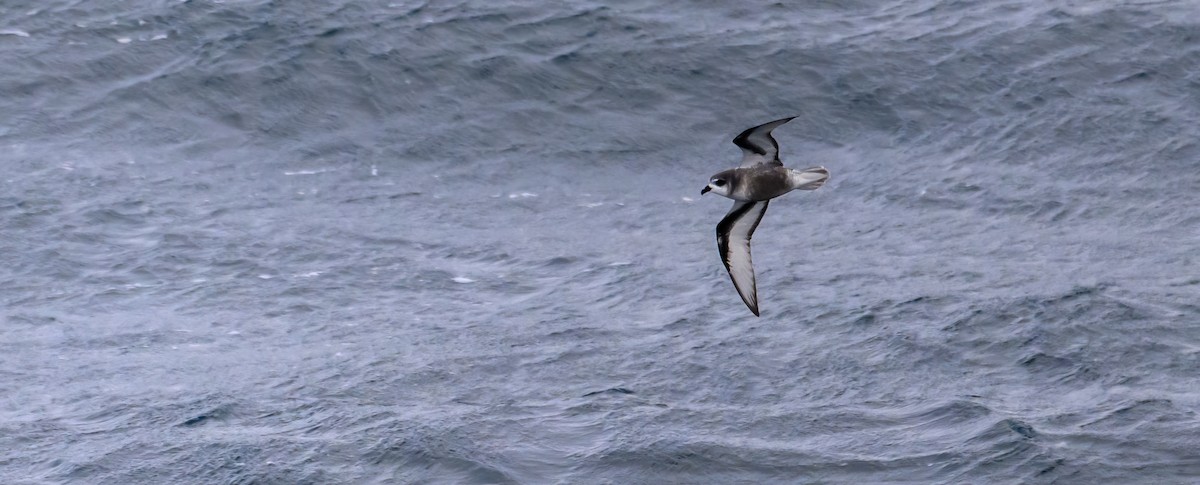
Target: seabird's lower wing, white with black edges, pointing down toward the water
(734,242)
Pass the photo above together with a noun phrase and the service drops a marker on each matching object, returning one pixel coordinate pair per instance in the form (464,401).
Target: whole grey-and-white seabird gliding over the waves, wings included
(761,178)
